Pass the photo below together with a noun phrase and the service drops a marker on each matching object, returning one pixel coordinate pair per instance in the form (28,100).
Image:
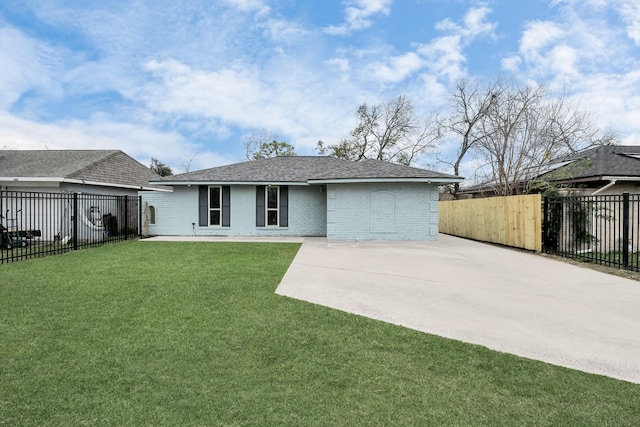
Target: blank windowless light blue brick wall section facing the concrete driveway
(382,211)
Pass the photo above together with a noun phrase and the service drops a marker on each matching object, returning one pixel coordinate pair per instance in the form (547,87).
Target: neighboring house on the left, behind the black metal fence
(35,188)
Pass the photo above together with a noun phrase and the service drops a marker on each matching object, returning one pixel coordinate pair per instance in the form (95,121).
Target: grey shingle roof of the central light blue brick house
(303,170)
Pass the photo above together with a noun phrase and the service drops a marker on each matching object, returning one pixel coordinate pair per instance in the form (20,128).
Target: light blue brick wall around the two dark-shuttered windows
(177,212)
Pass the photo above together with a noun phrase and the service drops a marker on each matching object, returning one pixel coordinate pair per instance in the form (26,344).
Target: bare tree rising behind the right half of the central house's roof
(389,131)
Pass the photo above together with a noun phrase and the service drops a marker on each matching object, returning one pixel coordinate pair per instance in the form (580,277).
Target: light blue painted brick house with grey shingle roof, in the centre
(300,196)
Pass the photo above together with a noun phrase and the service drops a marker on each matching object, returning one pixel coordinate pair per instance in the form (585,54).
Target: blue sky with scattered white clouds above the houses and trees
(191,80)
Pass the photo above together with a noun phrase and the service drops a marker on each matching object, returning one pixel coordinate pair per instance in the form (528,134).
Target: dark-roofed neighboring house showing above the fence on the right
(603,170)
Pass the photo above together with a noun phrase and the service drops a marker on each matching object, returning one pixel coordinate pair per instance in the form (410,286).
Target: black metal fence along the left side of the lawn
(34,224)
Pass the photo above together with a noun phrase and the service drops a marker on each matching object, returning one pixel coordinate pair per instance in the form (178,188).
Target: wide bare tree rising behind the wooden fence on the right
(525,128)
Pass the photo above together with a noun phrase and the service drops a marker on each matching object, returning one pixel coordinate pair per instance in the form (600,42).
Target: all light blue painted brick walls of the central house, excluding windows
(387,211)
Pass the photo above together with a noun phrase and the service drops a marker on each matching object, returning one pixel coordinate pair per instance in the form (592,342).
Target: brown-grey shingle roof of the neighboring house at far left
(95,167)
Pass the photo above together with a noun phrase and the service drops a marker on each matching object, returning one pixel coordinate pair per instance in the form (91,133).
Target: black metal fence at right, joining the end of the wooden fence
(599,229)
